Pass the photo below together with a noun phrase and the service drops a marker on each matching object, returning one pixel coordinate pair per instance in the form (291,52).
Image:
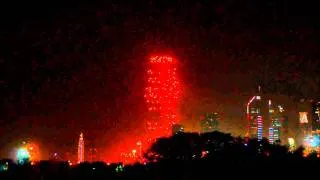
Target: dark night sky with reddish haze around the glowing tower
(80,67)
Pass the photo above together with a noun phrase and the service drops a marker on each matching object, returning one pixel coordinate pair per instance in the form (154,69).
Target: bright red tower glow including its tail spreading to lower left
(162,96)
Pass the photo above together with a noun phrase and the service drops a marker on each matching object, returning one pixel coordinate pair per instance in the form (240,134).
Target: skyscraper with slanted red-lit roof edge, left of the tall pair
(255,119)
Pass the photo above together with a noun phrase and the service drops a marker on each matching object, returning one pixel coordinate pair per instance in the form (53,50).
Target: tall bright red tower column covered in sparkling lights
(162,95)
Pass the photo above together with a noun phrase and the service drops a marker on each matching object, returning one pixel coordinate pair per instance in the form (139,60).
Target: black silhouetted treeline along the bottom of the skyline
(186,156)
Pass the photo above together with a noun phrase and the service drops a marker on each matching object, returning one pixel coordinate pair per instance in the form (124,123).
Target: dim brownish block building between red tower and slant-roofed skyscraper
(210,123)
